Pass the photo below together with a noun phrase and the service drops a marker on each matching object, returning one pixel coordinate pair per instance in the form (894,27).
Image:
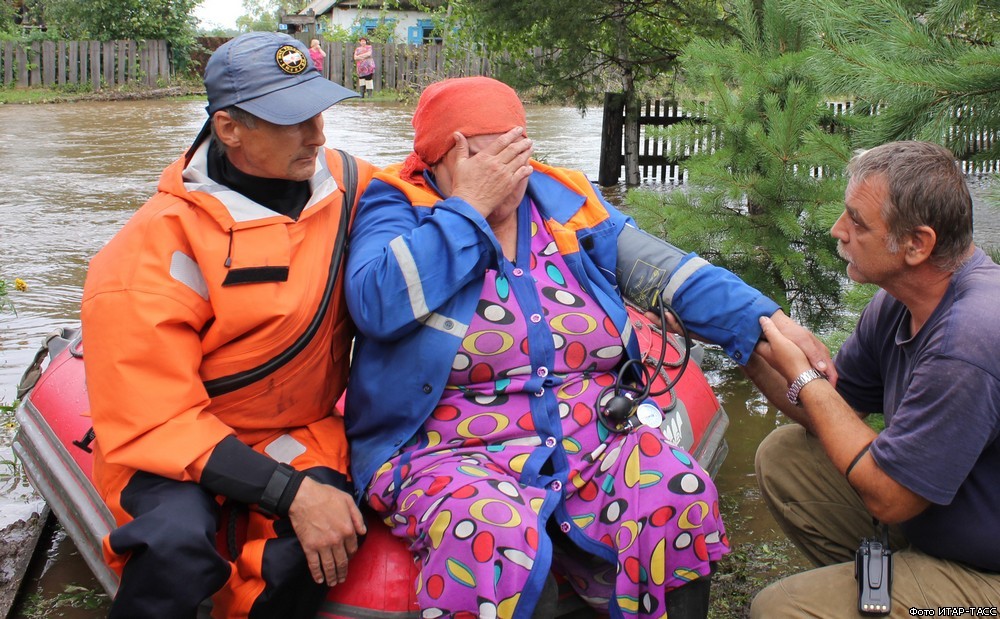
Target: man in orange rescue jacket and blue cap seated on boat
(217,346)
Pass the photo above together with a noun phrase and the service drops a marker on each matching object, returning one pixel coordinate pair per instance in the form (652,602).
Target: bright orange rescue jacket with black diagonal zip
(200,286)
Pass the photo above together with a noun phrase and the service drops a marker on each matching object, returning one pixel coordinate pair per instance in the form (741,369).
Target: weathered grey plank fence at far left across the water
(99,64)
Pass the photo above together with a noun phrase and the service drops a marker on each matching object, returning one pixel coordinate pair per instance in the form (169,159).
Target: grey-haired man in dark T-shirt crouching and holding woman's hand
(924,354)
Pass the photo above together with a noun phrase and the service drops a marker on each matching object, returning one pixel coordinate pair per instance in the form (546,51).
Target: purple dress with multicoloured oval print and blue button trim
(513,476)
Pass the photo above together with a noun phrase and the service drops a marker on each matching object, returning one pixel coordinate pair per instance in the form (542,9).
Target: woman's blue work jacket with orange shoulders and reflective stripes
(414,278)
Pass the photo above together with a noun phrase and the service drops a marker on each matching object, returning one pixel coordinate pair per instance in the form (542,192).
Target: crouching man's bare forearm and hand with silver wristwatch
(839,428)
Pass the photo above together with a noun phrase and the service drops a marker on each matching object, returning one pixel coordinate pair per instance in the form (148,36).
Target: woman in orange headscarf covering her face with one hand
(490,322)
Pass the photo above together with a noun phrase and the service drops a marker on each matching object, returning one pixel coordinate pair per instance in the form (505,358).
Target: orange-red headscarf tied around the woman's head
(470,105)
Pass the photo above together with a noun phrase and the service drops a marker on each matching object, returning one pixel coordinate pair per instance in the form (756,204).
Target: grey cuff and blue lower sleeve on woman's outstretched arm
(711,301)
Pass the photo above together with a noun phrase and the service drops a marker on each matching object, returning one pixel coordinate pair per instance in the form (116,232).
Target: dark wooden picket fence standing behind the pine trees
(662,160)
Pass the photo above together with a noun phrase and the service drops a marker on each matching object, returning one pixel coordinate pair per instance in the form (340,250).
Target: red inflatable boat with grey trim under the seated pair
(55,433)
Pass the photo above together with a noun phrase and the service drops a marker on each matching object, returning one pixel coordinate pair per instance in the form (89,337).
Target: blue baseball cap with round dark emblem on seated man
(269,75)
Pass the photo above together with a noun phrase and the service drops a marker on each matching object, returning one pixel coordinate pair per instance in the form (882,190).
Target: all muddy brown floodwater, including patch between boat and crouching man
(72,174)
